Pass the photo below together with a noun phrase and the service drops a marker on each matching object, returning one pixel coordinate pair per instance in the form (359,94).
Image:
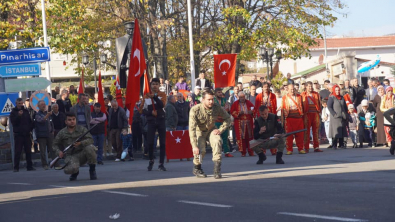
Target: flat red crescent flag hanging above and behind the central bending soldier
(224,70)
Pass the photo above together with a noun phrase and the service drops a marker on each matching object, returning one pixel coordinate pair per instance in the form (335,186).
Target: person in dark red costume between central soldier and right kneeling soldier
(243,111)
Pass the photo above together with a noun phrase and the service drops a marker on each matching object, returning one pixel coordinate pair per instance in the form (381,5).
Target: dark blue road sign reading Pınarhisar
(23,56)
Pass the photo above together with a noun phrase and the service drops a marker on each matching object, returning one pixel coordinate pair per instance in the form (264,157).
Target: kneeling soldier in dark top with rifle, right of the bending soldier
(268,135)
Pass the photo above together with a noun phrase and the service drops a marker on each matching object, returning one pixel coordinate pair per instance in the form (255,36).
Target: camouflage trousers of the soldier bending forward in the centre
(215,143)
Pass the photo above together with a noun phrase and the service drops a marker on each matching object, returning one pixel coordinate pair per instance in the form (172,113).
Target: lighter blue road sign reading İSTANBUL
(20,70)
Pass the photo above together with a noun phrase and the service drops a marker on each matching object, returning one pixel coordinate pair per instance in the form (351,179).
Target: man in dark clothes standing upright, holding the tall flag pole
(152,106)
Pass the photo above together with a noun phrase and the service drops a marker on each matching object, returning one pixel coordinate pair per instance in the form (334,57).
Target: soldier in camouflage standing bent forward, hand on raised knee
(202,118)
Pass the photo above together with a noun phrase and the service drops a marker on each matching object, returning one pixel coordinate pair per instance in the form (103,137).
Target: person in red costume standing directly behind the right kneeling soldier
(268,99)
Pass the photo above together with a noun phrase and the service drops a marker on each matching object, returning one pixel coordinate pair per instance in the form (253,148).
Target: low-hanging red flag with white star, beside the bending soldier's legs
(178,145)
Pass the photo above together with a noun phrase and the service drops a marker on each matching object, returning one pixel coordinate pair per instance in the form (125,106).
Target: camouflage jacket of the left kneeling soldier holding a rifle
(65,138)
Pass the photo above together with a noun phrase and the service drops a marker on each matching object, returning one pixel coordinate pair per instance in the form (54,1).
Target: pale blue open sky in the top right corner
(365,18)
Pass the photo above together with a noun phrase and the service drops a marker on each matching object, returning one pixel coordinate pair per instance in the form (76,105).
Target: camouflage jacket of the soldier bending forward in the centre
(202,119)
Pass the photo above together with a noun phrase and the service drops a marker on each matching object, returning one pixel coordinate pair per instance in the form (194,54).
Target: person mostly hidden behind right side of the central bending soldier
(219,100)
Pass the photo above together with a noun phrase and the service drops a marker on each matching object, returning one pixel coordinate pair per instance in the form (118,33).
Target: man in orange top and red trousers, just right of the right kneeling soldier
(292,114)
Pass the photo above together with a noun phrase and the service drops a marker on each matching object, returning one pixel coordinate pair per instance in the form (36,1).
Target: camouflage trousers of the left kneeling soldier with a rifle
(74,161)
